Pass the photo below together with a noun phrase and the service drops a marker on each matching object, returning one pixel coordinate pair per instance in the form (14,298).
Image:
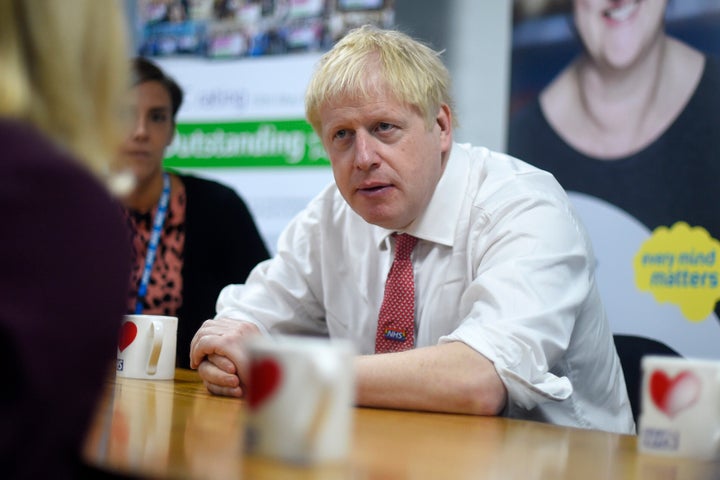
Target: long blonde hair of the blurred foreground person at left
(65,71)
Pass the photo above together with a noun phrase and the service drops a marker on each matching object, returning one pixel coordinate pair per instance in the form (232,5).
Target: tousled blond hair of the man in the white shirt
(411,70)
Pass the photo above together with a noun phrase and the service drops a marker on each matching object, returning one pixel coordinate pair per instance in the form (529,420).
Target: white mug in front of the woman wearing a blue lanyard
(146,347)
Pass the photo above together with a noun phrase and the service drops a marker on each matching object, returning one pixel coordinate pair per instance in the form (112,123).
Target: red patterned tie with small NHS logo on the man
(396,322)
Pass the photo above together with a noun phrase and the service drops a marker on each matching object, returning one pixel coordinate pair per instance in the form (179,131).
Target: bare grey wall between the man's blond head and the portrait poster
(476,36)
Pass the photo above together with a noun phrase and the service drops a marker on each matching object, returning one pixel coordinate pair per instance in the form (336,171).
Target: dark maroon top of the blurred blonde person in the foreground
(64,267)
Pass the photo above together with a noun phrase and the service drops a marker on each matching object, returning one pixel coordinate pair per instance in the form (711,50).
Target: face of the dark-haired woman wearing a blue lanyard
(144,149)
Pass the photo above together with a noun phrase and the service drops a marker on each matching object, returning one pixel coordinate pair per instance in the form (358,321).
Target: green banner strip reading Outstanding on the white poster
(283,143)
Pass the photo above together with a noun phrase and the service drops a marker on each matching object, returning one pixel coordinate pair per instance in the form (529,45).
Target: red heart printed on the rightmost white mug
(673,395)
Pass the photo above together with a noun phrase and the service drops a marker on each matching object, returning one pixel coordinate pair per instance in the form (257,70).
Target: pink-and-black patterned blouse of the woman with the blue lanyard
(164,294)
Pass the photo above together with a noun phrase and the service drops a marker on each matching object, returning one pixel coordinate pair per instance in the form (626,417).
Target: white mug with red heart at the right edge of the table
(680,414)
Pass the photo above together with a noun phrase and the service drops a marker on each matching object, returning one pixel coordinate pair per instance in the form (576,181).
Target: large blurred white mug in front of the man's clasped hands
(300,396)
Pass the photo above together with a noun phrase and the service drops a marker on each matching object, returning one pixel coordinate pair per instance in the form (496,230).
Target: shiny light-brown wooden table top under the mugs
(176,429)
